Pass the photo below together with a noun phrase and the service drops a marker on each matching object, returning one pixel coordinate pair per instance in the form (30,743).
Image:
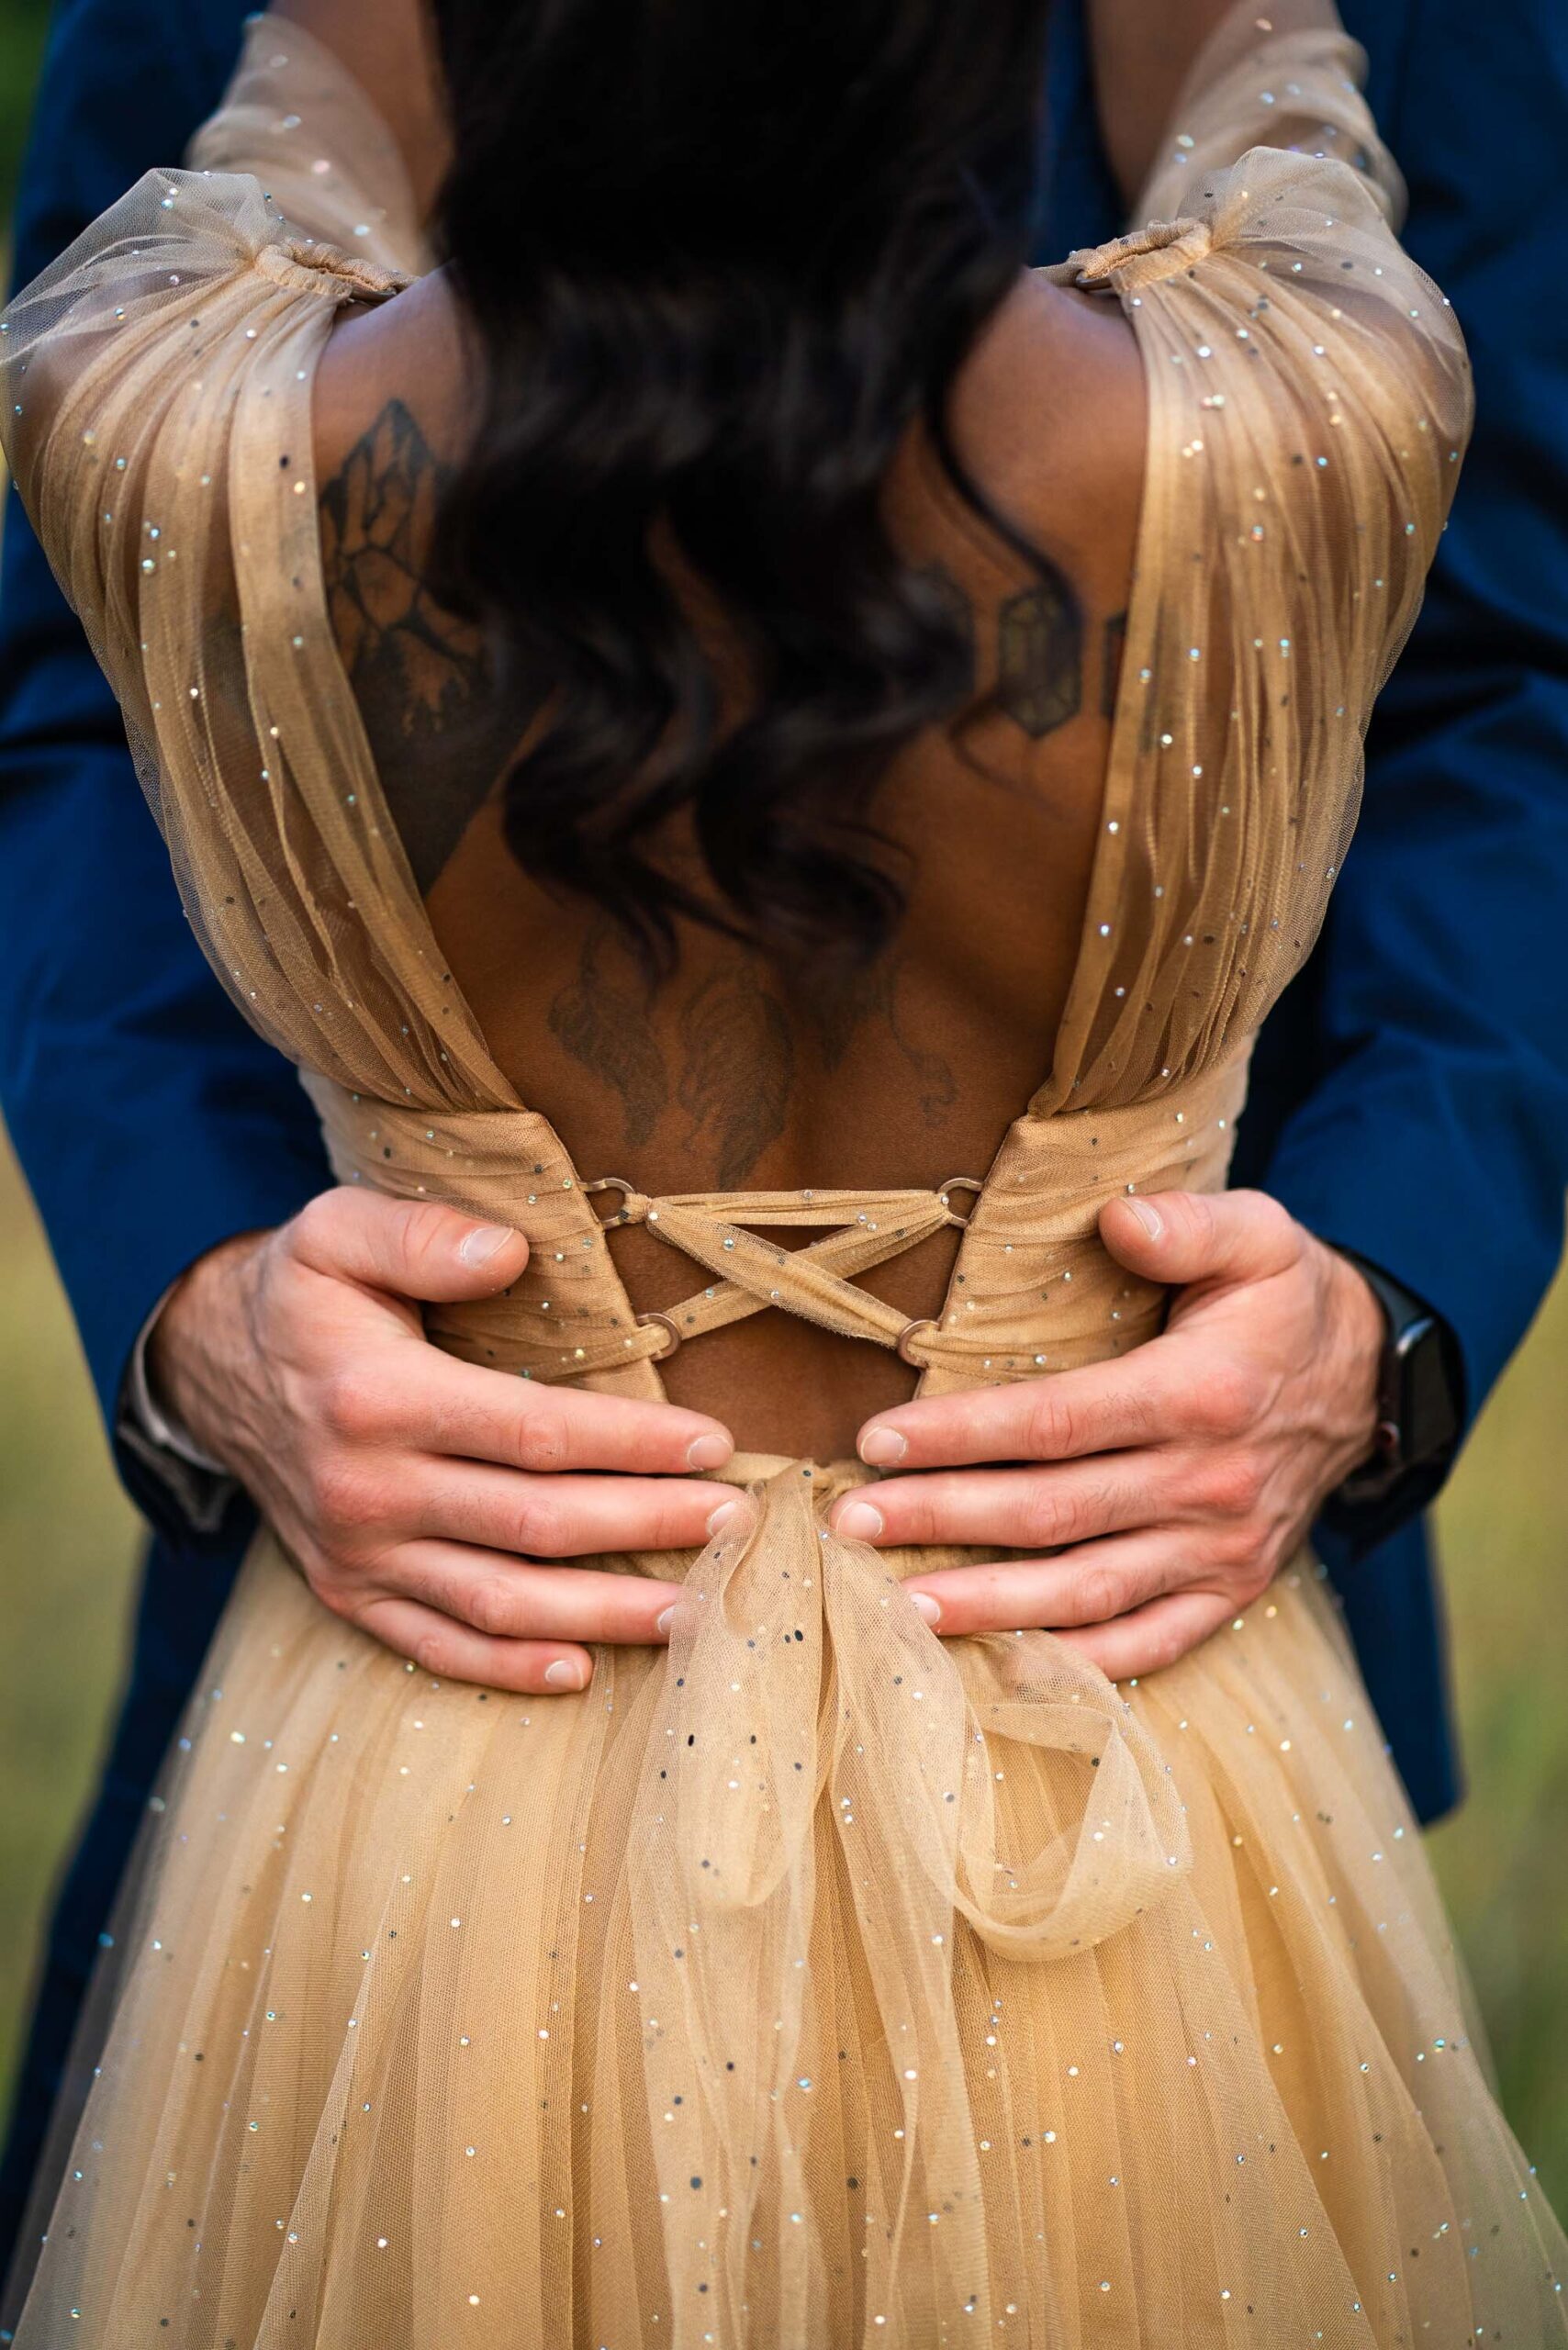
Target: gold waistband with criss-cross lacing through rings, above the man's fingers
(1031,1287)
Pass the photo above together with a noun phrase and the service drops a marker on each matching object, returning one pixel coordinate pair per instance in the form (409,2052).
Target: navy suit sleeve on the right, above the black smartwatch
(1433,1136)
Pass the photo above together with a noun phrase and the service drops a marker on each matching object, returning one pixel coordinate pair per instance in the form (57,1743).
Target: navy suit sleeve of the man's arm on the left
(152,1122)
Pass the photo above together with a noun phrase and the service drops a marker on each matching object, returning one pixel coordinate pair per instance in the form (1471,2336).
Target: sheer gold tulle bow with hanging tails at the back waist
(812,1728)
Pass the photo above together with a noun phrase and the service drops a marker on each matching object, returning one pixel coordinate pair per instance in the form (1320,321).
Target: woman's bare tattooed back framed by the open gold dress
(728,1077)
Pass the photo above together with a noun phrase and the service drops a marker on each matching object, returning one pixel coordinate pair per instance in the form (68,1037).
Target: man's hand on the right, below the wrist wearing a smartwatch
(1165,1489)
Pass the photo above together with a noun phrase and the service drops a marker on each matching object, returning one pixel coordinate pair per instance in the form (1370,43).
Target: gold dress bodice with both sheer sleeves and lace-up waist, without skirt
(1308,401)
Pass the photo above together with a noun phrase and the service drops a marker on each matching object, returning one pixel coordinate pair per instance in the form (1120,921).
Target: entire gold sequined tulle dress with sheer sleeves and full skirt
(812,1982)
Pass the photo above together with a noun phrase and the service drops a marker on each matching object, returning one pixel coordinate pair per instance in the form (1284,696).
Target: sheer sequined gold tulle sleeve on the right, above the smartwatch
(1308,412)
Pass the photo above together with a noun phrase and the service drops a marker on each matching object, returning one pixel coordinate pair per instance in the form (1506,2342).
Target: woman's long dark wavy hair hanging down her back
(718,257)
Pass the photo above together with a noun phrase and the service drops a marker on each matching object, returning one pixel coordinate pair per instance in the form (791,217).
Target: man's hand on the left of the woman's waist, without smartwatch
(417,1493)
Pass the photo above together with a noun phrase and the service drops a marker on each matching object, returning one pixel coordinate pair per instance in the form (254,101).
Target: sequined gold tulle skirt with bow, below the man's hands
(808,1985)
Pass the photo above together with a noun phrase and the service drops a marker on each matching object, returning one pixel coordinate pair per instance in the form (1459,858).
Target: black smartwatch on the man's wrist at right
(1421,1414)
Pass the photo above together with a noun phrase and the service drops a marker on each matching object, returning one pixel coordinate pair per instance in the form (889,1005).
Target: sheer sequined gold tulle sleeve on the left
(159,427)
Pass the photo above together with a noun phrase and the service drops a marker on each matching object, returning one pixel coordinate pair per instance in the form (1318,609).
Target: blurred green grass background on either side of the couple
(69,1557)
